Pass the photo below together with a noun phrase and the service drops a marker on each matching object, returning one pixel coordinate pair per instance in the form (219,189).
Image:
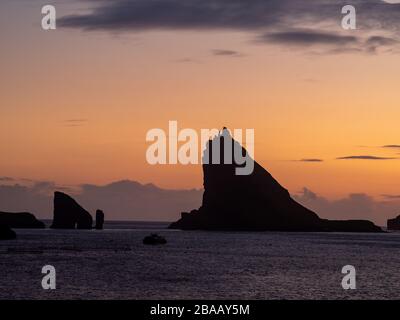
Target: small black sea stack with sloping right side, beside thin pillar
(68,214)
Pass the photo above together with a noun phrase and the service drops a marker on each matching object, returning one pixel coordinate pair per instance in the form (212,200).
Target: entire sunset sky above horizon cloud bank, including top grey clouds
(76,102)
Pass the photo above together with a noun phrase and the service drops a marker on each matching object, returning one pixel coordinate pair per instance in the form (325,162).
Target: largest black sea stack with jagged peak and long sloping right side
(255,202)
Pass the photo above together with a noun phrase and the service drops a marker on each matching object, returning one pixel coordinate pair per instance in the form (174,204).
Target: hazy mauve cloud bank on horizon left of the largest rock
(123,200)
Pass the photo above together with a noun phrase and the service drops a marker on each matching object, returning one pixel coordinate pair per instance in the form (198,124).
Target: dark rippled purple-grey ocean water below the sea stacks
(114,264)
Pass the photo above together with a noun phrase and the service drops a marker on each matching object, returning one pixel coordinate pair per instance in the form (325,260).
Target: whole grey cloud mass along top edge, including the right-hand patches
(268,20)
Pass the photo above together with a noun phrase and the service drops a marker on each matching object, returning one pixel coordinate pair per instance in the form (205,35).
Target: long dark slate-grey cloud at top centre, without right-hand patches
(142,15)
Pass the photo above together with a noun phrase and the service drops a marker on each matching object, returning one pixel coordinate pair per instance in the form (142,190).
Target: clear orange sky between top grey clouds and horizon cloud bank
(301,105)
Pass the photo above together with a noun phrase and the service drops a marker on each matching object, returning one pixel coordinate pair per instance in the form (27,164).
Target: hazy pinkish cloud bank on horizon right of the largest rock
(353,206)
